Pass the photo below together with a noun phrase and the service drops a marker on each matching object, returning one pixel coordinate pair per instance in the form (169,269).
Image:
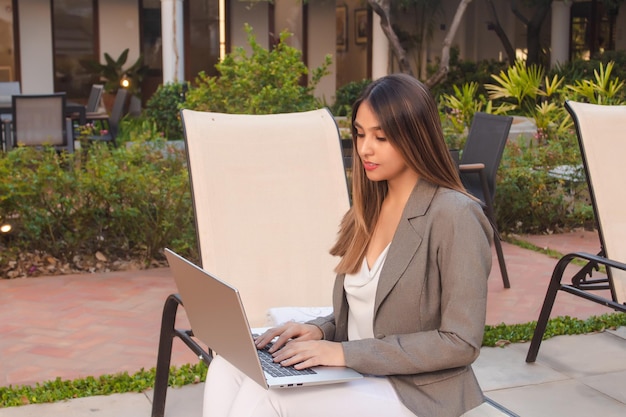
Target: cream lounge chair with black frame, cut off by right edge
(600,131)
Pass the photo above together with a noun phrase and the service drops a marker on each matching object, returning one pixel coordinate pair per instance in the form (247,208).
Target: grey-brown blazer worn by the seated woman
(430,307)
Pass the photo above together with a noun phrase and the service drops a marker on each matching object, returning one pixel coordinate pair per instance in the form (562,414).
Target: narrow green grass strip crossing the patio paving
(59,390)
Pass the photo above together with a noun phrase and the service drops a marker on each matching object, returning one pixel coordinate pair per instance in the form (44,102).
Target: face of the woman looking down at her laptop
(381,161)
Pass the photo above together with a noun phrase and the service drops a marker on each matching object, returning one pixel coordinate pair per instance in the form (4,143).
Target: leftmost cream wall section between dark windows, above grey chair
(35,27)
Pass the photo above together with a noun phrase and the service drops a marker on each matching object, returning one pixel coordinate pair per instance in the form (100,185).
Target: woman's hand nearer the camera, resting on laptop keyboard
(305,354)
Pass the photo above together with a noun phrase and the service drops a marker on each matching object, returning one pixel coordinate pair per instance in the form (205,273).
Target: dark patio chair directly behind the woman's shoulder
(479,165)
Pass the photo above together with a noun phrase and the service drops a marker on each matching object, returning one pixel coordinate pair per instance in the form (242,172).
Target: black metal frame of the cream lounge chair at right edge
(582,284)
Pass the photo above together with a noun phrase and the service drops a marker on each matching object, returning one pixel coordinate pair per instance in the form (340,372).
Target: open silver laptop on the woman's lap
(218,319)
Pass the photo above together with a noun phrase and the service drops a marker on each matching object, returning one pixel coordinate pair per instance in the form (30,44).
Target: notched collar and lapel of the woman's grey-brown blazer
(406,240)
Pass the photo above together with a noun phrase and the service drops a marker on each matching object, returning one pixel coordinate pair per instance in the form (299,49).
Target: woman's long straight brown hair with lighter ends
(407,114)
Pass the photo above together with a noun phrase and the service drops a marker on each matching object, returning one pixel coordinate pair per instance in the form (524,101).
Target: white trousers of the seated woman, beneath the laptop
(230,393)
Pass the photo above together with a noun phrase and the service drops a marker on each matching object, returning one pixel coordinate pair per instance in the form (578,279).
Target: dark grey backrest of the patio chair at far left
(40,120)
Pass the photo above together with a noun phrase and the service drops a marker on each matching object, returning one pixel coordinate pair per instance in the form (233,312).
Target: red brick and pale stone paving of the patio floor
(79,325)
